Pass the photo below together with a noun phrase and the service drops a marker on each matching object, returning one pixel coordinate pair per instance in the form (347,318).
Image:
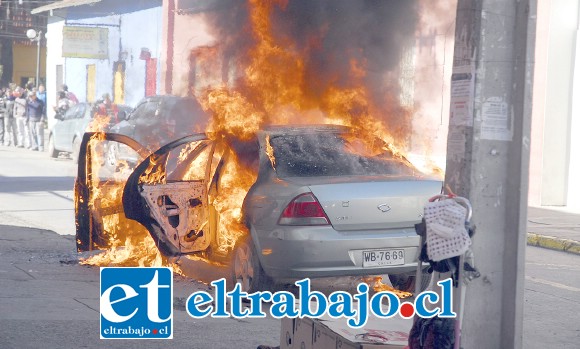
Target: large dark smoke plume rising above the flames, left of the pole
(332,33)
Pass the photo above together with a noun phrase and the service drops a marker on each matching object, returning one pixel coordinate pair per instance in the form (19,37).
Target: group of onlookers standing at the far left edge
(23,116)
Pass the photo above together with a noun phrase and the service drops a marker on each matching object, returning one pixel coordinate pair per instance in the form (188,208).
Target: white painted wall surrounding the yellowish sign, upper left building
(127,32)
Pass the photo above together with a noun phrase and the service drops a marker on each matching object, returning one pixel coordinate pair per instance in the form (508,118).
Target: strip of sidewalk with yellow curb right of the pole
(554,229)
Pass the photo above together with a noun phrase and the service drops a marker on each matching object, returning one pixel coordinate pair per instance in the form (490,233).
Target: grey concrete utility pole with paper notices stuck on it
(488,159)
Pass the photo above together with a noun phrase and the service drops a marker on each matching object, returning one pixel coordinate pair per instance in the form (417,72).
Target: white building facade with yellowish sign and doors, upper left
(103,47)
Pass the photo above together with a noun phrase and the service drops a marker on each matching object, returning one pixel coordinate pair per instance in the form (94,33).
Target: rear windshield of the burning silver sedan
(329,154)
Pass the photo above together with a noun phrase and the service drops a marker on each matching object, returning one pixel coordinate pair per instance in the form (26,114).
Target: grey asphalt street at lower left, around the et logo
(48,300)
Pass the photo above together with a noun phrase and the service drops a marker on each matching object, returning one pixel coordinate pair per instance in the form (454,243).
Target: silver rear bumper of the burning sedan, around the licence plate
(299,252)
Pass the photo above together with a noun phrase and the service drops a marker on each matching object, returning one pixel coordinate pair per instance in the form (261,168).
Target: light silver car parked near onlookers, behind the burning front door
(66,134)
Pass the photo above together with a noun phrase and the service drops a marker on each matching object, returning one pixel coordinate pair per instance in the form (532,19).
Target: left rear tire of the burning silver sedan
(247,270)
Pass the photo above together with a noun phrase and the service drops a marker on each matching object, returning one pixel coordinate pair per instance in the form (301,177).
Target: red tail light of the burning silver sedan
(303,210)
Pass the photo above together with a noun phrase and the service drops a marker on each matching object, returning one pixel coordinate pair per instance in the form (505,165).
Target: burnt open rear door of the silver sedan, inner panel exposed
(167,193)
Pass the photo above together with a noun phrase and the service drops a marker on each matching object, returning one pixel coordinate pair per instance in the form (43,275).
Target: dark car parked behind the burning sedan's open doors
(155,121)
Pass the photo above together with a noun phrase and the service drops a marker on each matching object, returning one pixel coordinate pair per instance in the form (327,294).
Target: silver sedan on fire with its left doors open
(319,207)
